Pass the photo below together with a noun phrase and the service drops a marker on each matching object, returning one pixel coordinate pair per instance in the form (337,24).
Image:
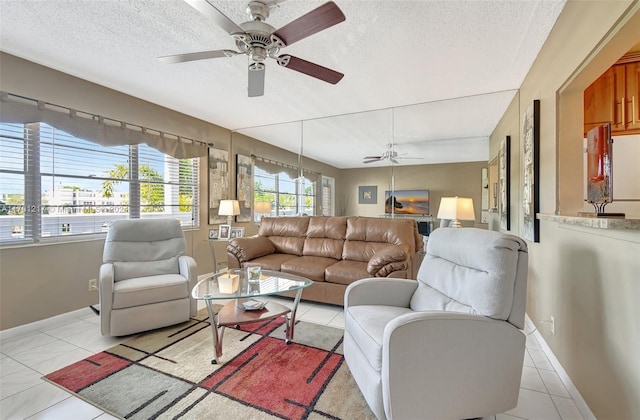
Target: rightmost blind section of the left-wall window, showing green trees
(168,186)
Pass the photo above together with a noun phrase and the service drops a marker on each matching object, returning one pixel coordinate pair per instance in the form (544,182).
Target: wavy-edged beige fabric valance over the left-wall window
(95,128)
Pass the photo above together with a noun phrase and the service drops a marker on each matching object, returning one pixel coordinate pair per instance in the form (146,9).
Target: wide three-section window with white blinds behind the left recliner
(55,185)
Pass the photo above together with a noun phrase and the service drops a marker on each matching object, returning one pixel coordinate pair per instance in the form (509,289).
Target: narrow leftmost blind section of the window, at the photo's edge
(14,154)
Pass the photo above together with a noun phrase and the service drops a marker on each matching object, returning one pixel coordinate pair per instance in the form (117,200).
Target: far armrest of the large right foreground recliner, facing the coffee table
(380,291)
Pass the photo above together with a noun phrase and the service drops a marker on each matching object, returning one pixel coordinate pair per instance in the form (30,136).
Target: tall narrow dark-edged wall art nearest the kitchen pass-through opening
(531,156)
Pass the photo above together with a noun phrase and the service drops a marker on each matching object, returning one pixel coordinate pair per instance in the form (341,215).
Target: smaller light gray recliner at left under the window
(145,279)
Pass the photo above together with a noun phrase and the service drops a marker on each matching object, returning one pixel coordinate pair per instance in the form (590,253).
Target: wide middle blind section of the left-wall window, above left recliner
(83,185)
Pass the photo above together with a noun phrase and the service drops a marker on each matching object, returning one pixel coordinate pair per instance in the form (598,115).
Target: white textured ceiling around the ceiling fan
(448,68)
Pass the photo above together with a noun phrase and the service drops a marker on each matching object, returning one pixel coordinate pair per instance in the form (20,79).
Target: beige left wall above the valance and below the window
(40,281)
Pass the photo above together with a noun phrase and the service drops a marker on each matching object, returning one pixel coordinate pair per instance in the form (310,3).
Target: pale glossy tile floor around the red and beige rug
(27,353)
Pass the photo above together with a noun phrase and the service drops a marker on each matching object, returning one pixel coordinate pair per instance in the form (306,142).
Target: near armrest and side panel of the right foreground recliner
(433,355)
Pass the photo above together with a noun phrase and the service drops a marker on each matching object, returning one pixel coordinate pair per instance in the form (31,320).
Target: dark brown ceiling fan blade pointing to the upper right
(317,20)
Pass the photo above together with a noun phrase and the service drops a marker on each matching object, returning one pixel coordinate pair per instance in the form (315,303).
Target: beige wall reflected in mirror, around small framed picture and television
(442,180)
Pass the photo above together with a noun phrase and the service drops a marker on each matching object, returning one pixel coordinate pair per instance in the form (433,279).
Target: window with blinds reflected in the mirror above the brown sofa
(288,194)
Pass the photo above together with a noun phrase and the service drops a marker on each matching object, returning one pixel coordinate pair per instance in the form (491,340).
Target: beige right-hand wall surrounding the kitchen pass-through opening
(587,279)
